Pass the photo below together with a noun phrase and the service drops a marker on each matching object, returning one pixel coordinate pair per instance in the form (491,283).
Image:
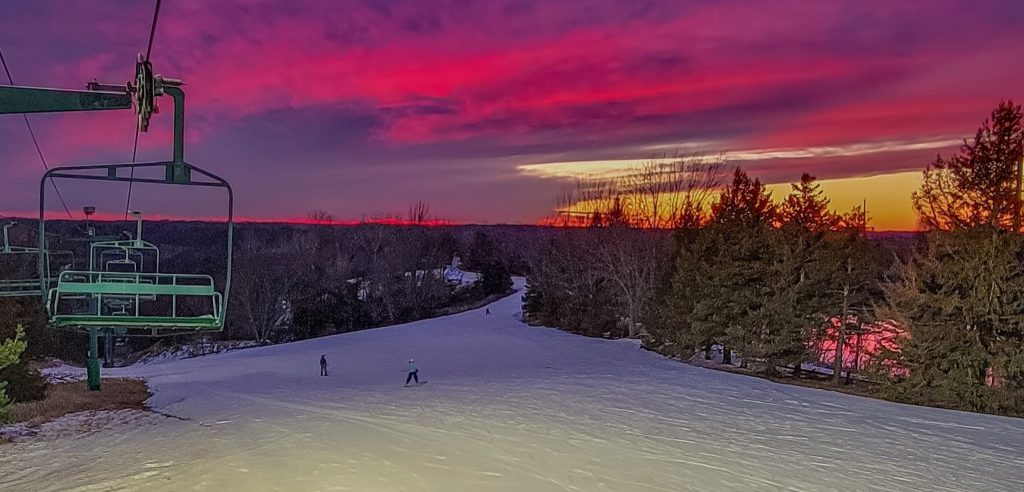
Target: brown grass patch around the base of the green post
(66,398)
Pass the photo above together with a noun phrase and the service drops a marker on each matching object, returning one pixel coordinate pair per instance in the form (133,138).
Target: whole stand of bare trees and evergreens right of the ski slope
(690,258)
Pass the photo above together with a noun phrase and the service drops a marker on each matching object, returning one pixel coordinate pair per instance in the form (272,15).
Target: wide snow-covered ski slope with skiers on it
(509,407)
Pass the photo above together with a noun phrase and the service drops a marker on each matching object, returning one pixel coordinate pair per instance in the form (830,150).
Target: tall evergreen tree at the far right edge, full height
(962,298)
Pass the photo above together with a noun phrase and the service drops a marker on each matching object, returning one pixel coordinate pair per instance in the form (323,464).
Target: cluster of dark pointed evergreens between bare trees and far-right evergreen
(764,281)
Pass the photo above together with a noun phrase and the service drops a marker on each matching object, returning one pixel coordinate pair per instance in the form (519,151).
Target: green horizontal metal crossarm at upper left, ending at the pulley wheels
(16,100)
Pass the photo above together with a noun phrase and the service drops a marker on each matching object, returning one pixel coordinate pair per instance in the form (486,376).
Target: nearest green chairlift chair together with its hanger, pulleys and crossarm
(121,294)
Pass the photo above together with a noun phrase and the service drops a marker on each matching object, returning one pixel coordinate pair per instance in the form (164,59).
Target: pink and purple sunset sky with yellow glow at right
(487,110)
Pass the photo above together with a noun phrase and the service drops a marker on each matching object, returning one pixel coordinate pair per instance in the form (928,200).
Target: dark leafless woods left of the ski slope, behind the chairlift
(290,282)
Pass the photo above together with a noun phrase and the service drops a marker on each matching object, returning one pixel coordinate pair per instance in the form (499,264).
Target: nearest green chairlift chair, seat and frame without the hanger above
(116,295)
